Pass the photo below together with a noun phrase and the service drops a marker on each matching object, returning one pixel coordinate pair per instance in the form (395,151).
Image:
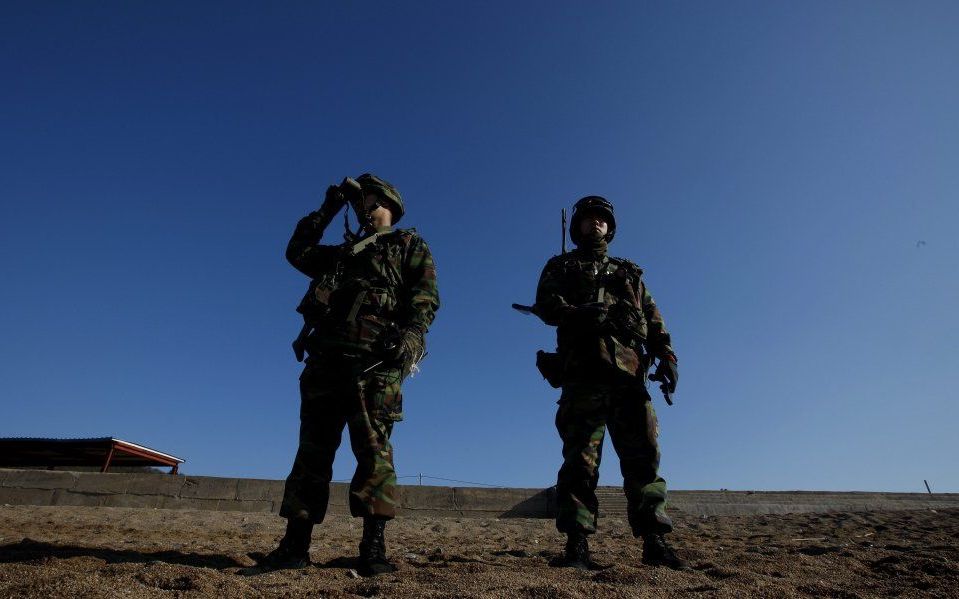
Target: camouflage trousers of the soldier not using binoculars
(586,409)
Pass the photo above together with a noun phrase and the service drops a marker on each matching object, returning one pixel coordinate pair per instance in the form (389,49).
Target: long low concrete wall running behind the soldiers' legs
(41,487)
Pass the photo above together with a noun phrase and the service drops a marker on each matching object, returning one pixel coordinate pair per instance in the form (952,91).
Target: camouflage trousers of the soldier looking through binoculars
(335,393)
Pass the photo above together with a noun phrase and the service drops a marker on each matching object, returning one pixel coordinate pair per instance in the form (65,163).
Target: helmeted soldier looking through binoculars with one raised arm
(366,312)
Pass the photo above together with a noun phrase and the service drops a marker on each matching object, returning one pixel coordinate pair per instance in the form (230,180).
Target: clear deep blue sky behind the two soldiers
(774,166)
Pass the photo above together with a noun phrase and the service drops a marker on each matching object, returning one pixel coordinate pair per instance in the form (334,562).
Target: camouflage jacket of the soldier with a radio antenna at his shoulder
(632,331)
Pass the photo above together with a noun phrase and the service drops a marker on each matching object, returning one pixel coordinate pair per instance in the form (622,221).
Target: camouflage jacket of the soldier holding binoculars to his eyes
(360,293)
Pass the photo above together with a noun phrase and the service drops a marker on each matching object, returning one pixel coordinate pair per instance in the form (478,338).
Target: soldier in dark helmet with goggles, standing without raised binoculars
(609,332)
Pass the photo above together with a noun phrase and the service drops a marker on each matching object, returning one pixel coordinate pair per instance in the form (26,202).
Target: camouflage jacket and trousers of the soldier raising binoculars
(355,300)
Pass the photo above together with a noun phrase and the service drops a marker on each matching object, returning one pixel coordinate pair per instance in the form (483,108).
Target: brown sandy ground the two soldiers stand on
(110,552)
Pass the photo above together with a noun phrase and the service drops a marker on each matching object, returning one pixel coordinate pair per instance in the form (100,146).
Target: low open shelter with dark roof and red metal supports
(102,453)
